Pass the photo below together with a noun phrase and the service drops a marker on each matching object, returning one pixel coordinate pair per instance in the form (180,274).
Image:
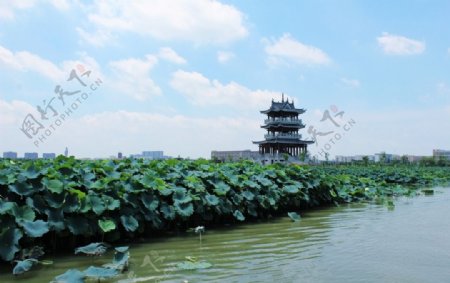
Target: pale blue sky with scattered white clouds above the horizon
(188,77)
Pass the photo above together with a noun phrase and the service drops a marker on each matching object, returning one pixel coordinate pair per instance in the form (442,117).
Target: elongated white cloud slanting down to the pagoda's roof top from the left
(202,91)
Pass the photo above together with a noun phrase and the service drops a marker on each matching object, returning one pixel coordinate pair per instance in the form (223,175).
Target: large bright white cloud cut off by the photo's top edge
(198,21)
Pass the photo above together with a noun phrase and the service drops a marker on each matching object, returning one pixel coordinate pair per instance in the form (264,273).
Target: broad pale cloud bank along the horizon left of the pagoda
(132,132)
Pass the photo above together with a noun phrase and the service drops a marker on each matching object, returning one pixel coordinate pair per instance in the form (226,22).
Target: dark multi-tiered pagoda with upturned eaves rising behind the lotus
(282,125)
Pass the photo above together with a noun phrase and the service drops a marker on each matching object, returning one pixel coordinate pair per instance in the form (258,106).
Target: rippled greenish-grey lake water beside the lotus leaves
(350,243)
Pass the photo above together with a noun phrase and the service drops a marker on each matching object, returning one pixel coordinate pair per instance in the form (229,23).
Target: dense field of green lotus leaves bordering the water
(65,203)
